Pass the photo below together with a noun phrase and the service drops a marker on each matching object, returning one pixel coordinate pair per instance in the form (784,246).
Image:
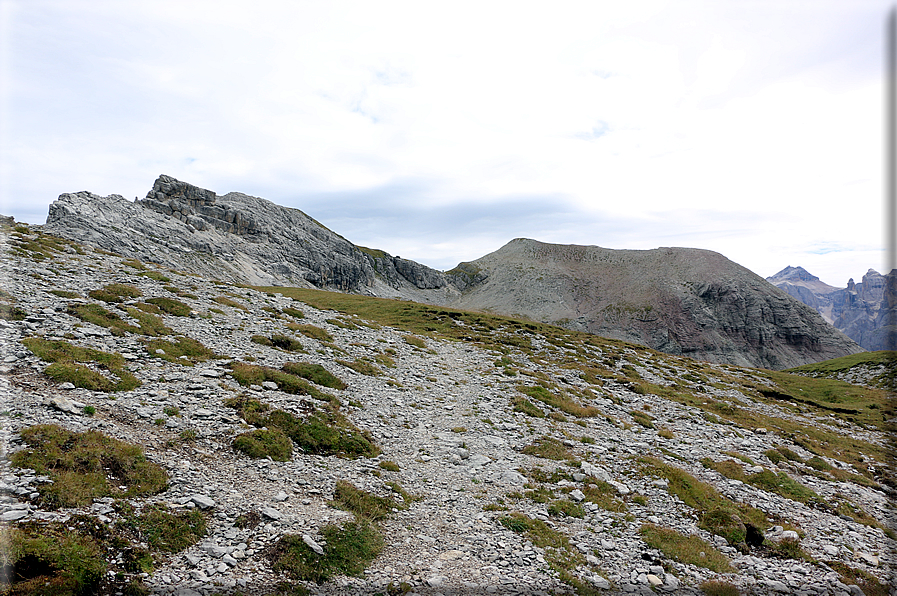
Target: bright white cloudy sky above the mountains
(439,131)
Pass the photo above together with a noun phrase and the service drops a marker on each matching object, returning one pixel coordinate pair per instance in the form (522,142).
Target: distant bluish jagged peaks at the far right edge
(866,311)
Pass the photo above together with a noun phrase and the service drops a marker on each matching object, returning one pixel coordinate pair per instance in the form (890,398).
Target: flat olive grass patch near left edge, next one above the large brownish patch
(65,358)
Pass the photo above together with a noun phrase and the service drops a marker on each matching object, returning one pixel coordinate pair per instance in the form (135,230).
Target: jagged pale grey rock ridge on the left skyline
(238,238)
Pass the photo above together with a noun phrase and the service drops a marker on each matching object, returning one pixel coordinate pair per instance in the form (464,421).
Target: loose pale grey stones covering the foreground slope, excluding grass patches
(443,414)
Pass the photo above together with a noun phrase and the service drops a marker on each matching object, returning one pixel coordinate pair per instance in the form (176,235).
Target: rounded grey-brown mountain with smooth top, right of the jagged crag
(677,300)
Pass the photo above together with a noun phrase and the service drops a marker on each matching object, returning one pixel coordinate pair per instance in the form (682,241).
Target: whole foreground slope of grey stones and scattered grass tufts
(167,433)
